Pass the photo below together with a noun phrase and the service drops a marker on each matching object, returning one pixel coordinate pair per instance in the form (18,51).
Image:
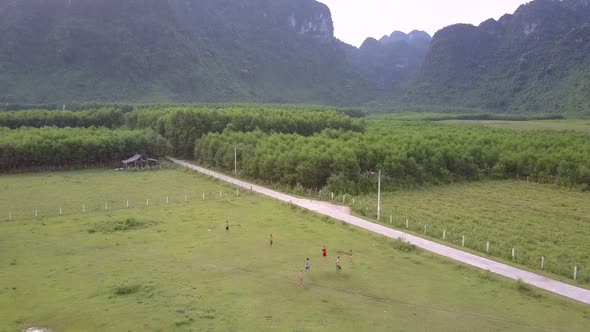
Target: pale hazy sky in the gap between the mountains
(355,20)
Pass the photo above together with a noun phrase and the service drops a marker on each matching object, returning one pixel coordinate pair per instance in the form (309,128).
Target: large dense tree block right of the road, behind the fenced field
(408,154)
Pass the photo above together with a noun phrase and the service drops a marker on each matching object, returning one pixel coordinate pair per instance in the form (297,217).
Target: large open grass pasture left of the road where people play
(184,272)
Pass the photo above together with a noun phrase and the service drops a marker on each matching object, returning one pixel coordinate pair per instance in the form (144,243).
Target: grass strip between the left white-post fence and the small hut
(48,192)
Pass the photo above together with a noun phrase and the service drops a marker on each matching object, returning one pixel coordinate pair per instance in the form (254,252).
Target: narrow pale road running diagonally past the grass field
(343,214)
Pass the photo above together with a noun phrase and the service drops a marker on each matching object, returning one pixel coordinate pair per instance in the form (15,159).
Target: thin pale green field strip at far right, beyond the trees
(582,125)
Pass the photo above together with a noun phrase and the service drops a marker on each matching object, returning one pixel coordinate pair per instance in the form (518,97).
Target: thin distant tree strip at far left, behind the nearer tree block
(103,117)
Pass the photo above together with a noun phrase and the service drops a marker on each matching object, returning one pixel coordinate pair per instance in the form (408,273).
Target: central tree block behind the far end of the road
(182,126)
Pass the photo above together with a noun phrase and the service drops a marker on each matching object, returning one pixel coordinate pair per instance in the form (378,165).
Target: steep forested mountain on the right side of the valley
(535,60)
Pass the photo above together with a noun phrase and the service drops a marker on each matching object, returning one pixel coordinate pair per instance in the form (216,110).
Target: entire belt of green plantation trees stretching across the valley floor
(313,147)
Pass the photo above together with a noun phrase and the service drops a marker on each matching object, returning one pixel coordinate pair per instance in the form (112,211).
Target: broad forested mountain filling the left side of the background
(195,50)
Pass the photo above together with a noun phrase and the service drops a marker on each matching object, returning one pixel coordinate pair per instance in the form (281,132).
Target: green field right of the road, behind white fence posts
(535,219)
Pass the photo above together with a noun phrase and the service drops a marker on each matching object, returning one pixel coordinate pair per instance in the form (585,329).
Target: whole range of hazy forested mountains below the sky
(537,59)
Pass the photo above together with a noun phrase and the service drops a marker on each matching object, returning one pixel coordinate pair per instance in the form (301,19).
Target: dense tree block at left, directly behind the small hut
(71,147)
